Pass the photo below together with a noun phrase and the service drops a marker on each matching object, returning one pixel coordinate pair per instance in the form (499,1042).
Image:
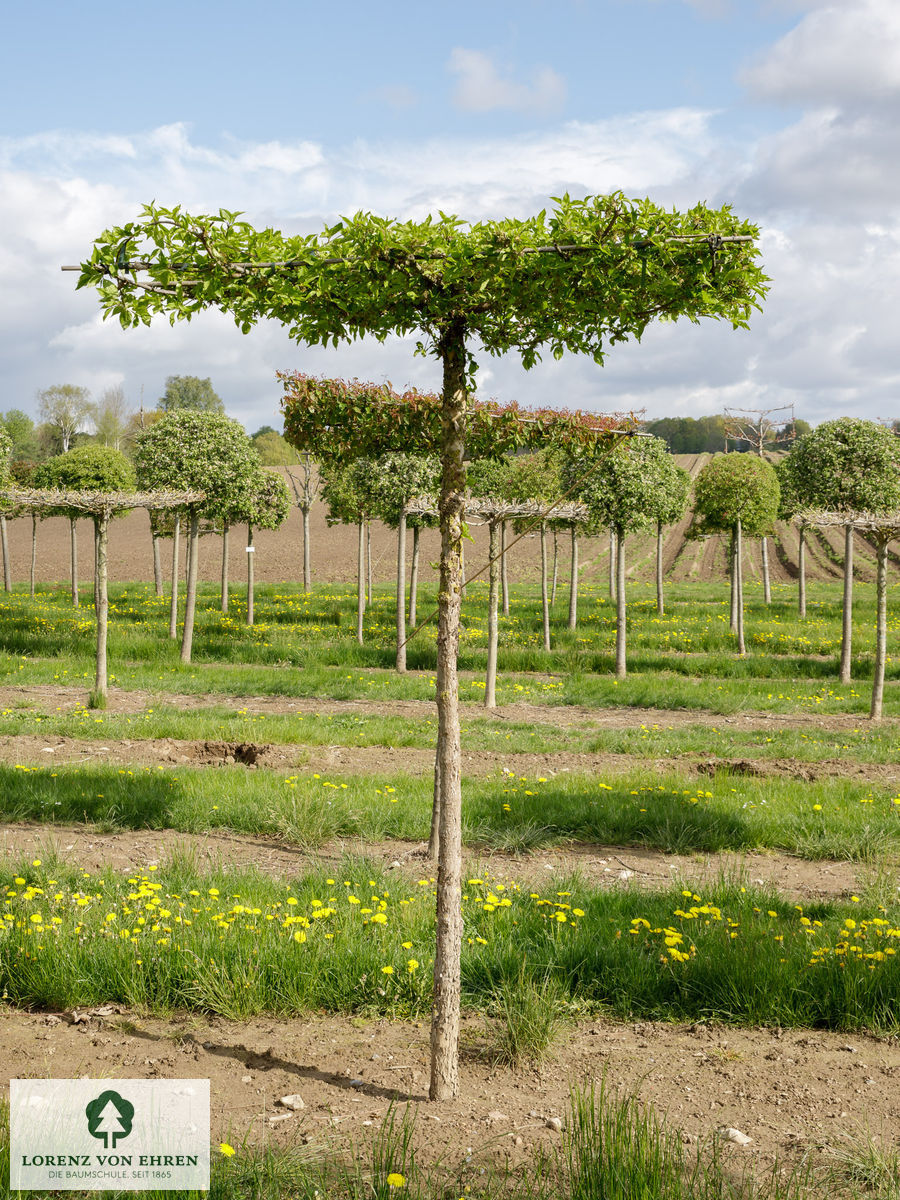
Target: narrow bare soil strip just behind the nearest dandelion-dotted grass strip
(598,866)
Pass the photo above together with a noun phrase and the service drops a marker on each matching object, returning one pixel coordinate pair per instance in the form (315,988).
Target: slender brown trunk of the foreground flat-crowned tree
(446,1011)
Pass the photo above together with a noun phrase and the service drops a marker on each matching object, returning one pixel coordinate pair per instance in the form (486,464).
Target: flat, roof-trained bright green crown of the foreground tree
(501,283)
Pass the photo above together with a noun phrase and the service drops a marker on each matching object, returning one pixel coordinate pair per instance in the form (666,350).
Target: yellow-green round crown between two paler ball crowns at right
(736,488)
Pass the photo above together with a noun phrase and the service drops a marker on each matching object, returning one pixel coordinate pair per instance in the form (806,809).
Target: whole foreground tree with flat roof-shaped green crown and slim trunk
(581,279)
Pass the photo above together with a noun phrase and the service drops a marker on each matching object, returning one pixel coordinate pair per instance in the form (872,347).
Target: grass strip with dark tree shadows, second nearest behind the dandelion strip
(639,808)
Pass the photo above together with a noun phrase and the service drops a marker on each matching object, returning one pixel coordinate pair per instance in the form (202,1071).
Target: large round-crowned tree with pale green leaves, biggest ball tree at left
(197,452)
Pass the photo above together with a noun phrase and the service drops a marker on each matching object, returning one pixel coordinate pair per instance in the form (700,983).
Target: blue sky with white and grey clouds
(297,113)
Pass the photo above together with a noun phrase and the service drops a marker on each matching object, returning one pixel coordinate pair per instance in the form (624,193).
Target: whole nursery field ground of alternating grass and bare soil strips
(682,915)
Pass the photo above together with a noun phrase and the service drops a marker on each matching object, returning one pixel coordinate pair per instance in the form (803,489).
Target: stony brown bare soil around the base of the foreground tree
(788,1090)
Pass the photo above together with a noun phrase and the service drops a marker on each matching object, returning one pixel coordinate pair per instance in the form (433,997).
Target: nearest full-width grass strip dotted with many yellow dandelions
(238,944)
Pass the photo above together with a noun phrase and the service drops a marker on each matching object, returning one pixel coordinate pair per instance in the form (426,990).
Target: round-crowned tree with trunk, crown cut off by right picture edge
(848,466)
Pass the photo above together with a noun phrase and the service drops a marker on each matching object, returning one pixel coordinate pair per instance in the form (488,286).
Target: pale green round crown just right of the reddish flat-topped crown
(621,487)
